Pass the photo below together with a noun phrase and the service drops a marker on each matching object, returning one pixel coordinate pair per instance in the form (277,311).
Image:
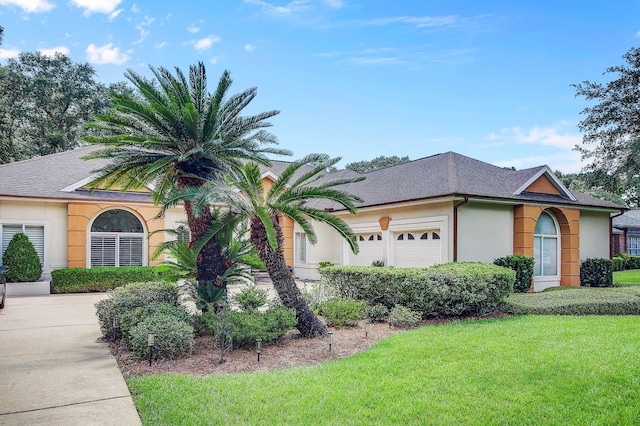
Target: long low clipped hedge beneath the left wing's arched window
(84,280)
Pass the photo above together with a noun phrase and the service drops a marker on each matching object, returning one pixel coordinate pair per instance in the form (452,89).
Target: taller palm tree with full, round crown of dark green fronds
(174,134)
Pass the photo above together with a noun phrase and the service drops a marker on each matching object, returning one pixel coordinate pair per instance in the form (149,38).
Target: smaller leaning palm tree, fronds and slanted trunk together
(301,182)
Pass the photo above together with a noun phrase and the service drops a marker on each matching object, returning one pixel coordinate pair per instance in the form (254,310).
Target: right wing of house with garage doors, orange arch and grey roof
(449,207)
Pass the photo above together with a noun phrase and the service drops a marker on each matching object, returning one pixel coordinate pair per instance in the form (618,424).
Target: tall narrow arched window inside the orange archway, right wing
(545,246)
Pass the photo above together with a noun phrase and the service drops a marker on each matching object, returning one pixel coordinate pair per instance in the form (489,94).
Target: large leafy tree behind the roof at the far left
(45,103)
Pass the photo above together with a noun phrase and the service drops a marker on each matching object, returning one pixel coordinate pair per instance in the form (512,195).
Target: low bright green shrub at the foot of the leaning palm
(249,326)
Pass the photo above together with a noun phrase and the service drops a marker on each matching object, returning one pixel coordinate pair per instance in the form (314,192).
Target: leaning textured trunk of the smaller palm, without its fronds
(308,324)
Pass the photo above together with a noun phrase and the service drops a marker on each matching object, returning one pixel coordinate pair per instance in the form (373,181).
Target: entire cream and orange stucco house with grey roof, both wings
(437,209)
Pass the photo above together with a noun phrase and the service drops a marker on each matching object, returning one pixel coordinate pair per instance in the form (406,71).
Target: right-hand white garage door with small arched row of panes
(416,248)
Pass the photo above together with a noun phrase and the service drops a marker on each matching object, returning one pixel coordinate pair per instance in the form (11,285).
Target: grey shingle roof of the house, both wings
(447,174)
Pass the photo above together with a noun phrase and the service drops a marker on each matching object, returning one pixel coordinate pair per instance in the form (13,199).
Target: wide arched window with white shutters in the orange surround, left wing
(117,239)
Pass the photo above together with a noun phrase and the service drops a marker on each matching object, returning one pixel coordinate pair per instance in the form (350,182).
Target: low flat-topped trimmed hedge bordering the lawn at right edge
(577,301)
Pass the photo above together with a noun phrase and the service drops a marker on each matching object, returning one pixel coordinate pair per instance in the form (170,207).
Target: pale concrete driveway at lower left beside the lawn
(54,370)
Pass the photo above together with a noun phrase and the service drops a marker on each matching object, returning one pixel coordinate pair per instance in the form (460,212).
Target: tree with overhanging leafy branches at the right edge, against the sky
(612,126)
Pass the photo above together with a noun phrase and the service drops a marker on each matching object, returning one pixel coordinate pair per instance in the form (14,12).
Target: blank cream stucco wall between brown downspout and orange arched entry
(485,232)
